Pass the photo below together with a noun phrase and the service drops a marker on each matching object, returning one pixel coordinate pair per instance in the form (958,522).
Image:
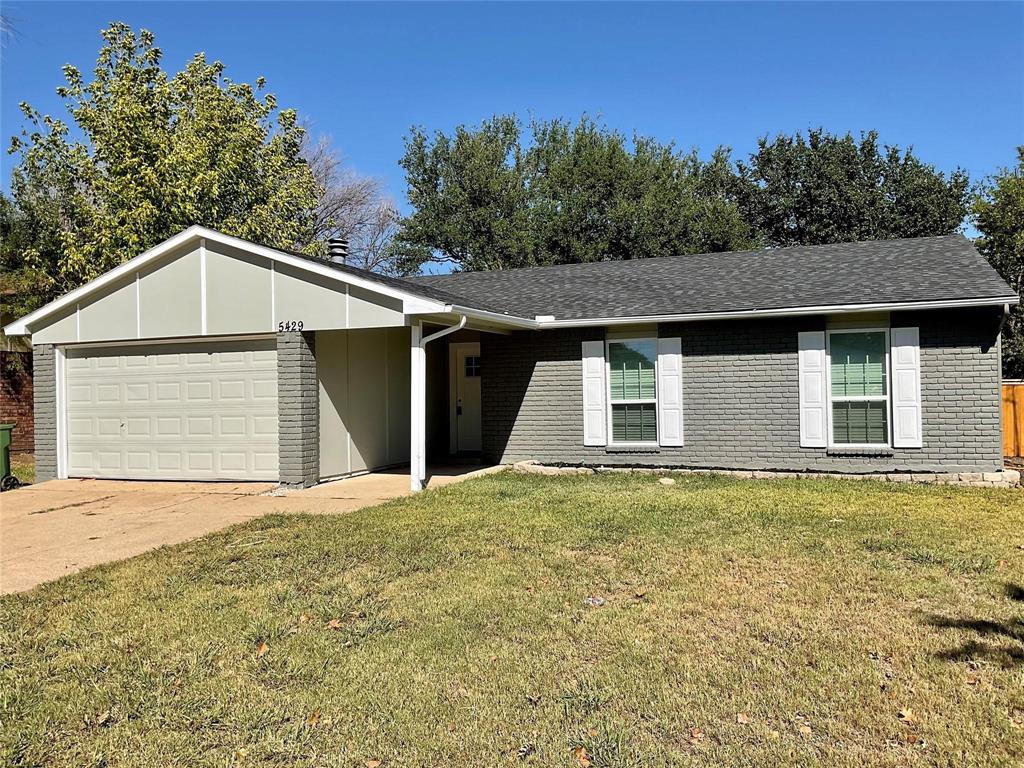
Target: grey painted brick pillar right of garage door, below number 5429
(298,410)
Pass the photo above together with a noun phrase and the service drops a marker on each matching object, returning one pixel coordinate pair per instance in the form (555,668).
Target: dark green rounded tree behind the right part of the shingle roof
(830,189)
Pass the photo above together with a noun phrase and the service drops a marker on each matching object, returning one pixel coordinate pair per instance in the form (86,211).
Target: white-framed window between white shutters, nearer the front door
(633,392)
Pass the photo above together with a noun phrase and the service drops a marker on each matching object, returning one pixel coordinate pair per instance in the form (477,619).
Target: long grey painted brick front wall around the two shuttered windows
(742,398)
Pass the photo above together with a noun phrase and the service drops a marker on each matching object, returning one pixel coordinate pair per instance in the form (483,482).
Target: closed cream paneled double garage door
(176,412)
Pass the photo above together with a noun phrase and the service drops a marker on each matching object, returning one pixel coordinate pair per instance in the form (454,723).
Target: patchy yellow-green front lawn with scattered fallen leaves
(818,611)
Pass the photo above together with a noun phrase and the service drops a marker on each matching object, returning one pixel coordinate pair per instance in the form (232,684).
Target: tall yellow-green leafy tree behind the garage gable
(145,156)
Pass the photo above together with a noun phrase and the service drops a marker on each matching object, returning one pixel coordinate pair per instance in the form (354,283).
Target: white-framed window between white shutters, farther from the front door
(859,372)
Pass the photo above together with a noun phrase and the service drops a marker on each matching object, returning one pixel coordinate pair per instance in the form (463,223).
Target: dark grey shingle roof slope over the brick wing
(869,273)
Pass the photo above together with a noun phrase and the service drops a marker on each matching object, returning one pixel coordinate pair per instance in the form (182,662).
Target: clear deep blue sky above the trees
(946,77)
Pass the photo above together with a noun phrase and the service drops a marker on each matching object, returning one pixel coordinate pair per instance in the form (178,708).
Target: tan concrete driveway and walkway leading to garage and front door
(58,528)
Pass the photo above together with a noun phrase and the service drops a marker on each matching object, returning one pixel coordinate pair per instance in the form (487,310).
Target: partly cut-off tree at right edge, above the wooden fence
(999,215)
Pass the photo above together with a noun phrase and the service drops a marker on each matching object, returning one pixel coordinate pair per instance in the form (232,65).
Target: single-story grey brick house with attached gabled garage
(211,358)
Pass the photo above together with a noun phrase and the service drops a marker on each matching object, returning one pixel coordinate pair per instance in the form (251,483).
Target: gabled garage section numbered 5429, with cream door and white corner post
(209,358)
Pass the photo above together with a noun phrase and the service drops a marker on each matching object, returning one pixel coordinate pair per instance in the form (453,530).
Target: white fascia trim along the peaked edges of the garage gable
(21,327)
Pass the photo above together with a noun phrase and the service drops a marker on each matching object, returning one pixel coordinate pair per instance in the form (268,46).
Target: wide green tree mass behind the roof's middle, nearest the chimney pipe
(490,198)
